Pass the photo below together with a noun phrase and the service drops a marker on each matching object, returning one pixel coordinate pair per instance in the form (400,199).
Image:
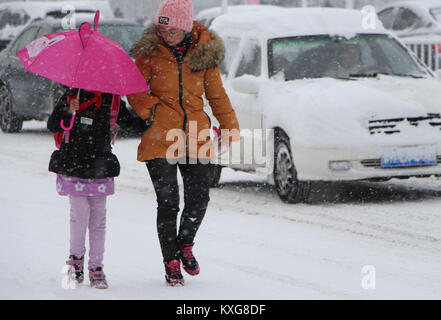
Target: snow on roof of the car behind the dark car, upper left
(39,9)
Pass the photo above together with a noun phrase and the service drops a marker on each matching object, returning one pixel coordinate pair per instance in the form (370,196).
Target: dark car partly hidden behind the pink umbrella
(26,96)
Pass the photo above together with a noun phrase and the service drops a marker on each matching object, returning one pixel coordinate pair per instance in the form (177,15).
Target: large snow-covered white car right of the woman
(330,99)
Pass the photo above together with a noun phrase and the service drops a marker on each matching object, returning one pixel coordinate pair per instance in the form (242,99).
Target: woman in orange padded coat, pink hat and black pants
(179,59)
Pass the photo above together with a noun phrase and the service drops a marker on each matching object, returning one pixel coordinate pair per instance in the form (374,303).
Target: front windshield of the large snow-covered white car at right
(337,57)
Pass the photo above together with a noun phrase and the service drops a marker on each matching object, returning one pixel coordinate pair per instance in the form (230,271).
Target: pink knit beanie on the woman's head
(176,14)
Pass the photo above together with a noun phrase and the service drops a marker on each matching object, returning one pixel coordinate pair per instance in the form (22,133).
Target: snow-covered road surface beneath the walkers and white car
(250,246)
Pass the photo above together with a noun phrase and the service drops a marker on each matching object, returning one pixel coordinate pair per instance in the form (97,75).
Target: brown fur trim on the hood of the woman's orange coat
(207,49)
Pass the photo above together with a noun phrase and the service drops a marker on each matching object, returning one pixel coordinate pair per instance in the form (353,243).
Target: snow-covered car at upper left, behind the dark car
(14,16)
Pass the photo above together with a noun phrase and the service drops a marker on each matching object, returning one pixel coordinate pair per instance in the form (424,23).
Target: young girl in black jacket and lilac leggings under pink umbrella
(85,167)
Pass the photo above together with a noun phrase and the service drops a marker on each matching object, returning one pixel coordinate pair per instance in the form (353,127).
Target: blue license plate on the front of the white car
(409,157)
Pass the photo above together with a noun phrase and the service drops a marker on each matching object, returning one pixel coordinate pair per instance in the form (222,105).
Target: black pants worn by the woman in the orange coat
(196,197)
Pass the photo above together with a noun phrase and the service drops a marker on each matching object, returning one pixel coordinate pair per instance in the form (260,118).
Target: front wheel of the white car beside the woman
(288,187)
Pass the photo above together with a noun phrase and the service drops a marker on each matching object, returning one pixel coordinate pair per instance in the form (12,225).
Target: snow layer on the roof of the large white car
(296,22)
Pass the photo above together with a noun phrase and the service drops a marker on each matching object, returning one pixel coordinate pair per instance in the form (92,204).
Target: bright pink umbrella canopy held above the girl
(84,59)
